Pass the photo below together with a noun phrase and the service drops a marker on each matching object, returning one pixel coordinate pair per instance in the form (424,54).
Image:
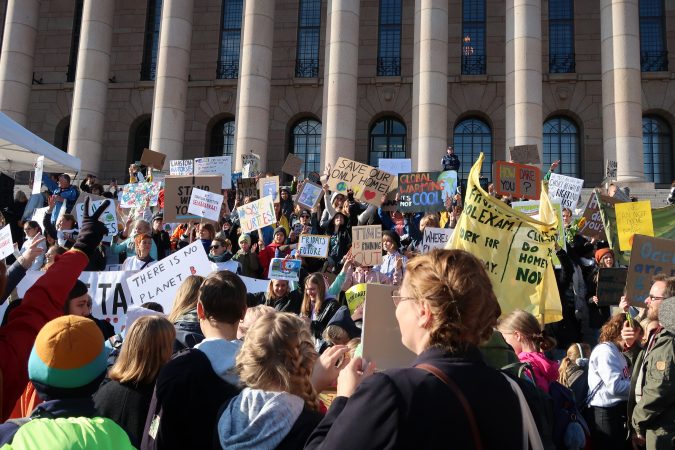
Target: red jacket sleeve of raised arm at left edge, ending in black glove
(43,302)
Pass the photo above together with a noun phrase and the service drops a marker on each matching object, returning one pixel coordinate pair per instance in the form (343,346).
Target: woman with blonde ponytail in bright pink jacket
(522,331)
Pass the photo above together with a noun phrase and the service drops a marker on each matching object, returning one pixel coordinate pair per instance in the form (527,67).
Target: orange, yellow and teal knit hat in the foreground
(68,353)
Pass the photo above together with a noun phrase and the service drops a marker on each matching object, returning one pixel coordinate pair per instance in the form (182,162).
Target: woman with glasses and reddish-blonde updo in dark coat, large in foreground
(445,309)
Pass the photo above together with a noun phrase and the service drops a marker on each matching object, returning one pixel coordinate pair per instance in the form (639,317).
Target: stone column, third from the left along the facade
(173,63)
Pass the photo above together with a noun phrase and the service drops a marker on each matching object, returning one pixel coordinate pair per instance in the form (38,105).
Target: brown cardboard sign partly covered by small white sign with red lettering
(177,193)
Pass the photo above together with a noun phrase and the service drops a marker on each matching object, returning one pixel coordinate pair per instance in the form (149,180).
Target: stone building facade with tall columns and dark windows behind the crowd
(403,77)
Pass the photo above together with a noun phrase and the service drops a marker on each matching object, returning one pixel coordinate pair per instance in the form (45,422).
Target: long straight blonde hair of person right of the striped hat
(147,347)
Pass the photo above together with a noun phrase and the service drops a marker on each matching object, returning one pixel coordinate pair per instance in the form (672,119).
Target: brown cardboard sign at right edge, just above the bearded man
(649,256)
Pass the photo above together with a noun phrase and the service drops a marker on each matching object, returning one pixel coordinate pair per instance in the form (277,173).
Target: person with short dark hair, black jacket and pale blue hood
(192,386)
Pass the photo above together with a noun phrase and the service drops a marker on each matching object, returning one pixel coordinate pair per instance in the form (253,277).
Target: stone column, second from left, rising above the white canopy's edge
(91,85)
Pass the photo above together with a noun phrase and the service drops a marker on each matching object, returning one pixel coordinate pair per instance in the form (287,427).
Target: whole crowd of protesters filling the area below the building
(227,368)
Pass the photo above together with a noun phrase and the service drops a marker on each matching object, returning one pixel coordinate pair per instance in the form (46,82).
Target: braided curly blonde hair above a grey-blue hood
(278,354)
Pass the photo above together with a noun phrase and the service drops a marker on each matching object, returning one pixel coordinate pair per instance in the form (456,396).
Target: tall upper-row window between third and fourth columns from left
(230,38)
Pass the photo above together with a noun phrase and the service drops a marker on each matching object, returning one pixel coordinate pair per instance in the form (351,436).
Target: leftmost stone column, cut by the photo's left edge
(16,62)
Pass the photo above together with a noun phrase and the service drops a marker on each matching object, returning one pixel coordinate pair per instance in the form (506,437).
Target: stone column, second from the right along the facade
(523,74)
